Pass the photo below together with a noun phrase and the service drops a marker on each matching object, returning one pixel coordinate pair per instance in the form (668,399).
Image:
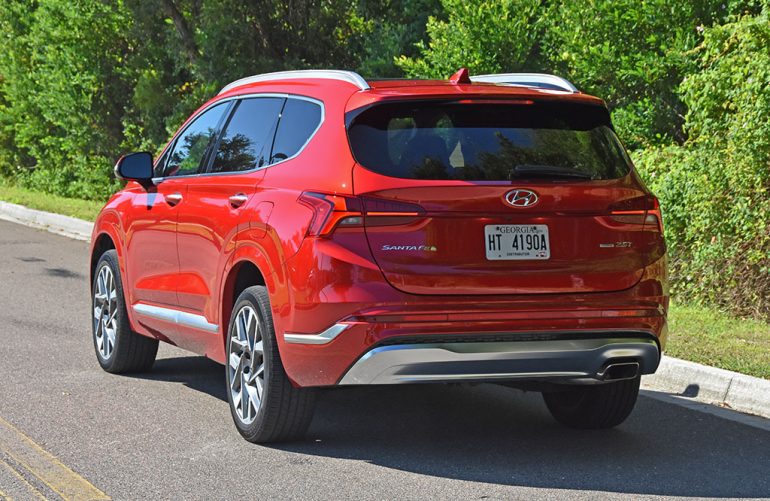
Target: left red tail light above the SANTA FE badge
(337,211)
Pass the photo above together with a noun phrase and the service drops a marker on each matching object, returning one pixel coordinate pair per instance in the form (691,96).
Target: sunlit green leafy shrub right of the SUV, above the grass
(714,190)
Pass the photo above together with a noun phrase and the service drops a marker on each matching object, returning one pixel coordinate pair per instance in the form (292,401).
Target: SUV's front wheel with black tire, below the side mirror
(119,350)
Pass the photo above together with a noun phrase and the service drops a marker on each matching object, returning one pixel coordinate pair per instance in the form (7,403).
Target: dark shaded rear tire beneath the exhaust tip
(593,406)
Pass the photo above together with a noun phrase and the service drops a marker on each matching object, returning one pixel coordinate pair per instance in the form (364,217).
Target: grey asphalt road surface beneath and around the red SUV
(168,433)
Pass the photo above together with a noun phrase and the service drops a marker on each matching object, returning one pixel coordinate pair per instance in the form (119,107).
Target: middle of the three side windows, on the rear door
(248,136)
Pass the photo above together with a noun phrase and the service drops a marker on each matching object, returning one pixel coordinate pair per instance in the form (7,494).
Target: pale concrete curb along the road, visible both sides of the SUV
(676,377)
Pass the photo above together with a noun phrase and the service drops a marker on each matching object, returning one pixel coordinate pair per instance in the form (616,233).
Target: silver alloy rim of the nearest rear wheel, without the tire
(246,365)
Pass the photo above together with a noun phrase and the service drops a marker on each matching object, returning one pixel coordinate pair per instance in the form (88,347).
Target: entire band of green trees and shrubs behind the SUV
(688,84)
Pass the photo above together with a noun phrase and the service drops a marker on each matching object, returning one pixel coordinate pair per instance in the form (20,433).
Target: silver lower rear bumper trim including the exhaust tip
(557,360)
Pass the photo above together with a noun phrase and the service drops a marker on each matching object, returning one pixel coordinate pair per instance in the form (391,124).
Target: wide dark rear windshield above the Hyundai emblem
(487,141)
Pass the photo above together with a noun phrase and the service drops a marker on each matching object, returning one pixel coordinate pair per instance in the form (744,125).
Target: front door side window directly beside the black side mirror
(190,148)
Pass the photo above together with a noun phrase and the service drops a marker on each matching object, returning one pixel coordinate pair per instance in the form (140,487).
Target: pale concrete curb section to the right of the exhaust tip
(711,385)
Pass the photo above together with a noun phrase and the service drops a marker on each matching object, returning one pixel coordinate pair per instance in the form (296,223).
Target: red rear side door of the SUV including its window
(213,212)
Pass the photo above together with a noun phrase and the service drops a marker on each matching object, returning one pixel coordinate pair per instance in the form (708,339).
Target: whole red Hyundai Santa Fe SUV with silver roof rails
(310,229)
